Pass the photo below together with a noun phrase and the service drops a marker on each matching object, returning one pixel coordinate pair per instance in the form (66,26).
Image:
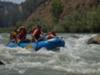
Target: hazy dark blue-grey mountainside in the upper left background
(11,13)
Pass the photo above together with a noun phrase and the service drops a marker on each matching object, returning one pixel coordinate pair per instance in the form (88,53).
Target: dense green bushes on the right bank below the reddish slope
(83,21)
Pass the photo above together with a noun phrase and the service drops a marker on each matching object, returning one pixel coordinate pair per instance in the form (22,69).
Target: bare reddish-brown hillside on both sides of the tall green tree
(44,10)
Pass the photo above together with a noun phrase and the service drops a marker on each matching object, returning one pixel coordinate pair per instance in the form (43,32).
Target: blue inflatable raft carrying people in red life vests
(48,44)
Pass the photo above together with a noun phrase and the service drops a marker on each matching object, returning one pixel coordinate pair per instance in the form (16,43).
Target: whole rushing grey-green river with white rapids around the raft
(76,58)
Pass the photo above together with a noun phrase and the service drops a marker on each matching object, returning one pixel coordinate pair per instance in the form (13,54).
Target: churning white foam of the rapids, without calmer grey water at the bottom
(76,57)
